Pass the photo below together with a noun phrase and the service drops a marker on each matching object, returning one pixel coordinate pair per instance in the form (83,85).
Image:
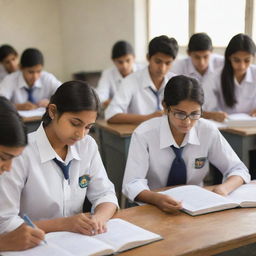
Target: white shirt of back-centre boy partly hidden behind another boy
(110,81)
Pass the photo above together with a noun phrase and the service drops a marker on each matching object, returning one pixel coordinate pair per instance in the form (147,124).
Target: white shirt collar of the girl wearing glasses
(166,137)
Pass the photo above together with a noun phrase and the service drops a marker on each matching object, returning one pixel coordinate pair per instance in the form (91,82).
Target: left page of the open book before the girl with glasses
(195,198)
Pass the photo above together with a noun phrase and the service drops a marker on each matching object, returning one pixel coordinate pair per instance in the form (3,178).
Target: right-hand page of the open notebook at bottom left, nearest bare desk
(123,235)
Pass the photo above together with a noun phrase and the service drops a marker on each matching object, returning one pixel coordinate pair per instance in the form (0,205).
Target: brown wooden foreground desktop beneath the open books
(186,235)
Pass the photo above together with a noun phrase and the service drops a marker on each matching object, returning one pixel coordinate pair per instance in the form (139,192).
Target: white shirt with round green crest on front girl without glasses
(36,185)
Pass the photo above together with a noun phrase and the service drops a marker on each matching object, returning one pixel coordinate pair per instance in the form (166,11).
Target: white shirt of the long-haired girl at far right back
(245,94)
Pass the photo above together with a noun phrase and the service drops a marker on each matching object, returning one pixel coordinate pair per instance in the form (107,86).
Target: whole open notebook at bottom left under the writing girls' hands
(121,236)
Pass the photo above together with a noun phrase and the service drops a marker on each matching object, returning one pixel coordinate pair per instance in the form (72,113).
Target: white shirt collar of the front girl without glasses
(47,153)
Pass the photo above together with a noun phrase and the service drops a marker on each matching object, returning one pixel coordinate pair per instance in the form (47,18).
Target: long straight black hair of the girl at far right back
(239,42)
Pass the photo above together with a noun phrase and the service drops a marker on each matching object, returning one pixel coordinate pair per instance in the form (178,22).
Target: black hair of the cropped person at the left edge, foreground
(12,129)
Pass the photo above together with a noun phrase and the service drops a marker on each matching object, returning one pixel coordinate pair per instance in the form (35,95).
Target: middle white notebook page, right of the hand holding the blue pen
(78,244)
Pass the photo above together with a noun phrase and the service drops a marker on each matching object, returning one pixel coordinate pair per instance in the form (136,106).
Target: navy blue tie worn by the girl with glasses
(178,172)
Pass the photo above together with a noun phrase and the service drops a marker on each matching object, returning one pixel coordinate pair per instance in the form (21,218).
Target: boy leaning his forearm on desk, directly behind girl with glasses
(139,96)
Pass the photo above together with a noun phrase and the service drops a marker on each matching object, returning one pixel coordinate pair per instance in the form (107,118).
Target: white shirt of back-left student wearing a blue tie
(13,87)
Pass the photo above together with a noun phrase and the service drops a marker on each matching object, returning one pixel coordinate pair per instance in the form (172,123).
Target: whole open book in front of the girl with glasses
(197,200)
